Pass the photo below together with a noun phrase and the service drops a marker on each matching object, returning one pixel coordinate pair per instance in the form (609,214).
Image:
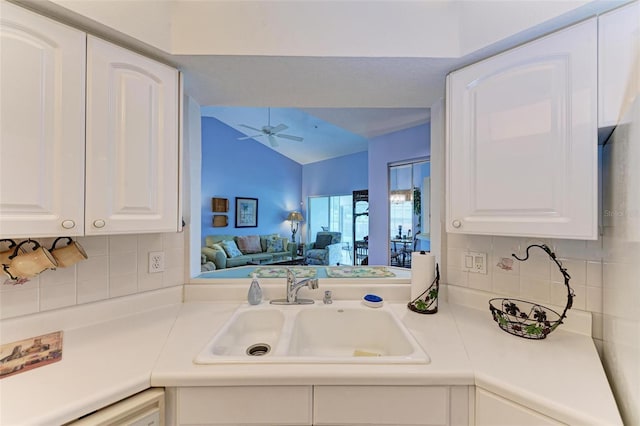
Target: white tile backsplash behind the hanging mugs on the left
(117,266)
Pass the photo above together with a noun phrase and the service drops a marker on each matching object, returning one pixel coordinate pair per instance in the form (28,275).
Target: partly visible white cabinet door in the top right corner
(618,54)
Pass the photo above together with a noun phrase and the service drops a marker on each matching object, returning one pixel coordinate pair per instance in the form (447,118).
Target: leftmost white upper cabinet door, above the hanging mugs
(42,107)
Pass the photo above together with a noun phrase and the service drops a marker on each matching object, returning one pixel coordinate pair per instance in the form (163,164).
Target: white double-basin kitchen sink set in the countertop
(344,332)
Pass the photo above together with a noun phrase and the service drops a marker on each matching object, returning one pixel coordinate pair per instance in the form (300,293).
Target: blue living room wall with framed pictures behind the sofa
(233,168)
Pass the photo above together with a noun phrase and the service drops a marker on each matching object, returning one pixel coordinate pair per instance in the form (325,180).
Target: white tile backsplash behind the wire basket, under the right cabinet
(536,279)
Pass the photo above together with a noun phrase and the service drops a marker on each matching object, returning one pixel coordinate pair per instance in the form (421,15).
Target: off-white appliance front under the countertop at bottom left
(143,409)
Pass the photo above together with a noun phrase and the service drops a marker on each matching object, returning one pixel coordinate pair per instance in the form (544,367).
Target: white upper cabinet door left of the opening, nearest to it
(132,142)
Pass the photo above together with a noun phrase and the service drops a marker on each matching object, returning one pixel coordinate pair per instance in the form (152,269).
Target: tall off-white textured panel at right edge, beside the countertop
(621,262)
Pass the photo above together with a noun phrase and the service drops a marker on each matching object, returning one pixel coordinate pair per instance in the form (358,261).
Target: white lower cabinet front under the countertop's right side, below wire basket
(493,410)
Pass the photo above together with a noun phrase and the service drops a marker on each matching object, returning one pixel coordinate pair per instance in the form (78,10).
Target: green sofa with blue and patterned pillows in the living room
(228,251)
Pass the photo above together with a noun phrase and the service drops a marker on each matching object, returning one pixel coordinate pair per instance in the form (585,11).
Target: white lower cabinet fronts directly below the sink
(322,405)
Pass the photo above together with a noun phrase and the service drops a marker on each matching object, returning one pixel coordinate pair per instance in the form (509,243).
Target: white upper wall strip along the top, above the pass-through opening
(410,29)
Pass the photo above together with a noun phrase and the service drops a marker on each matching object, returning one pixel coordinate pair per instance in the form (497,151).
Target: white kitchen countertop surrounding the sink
(111,359)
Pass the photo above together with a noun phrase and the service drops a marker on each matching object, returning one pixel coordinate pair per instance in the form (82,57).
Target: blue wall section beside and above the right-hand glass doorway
(409,144)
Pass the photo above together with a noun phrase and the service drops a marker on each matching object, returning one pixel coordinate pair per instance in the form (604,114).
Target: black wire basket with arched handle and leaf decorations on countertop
(526,319)
